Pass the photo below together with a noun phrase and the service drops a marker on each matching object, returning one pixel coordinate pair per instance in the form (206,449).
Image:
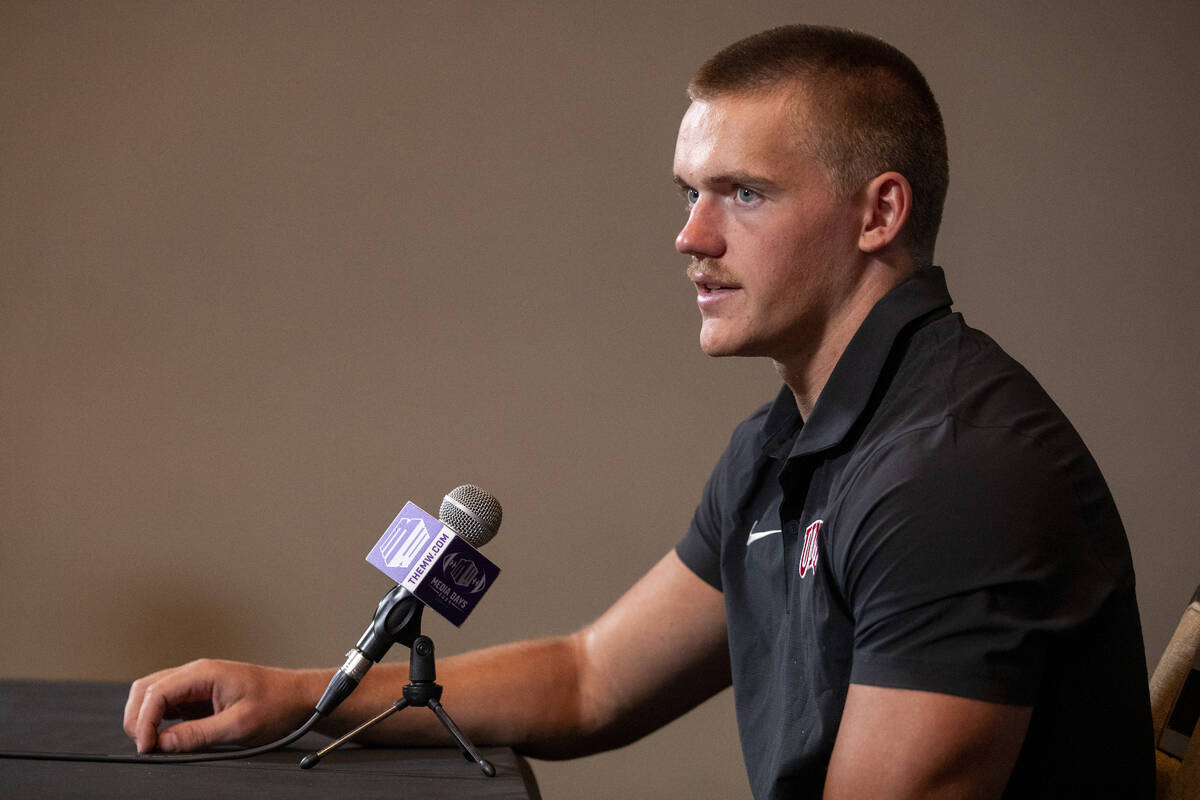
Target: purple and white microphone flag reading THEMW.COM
(424,556)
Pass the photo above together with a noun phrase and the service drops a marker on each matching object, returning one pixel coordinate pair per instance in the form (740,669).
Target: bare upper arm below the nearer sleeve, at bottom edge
(901,744)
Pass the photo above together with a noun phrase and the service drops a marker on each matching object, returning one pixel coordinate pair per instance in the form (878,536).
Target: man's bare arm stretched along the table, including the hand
(657,653)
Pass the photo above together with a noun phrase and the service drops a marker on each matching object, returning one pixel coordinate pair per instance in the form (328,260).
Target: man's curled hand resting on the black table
(224,702)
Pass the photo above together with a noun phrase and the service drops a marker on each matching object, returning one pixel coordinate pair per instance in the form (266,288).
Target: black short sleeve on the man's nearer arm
(969,558)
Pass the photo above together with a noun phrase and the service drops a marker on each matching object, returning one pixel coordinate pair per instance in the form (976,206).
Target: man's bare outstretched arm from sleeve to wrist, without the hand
(657,653)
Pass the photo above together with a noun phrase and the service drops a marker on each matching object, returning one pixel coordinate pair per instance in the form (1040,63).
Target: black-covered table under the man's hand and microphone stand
(86,718)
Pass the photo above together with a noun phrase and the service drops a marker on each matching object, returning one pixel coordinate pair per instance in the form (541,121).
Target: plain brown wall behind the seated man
(269,270)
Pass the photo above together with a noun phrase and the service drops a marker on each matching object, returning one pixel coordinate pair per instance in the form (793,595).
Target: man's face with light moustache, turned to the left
(773,250)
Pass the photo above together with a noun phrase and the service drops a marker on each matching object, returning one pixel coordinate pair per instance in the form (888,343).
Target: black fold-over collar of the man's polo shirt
(857,371)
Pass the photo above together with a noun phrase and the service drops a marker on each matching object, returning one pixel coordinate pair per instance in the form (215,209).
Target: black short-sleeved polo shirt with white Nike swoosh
(937,525)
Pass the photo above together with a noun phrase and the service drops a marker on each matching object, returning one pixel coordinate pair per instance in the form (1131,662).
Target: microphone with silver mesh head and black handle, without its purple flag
(475,516)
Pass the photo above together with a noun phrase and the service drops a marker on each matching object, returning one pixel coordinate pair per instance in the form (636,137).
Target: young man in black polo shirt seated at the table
(908,566)
